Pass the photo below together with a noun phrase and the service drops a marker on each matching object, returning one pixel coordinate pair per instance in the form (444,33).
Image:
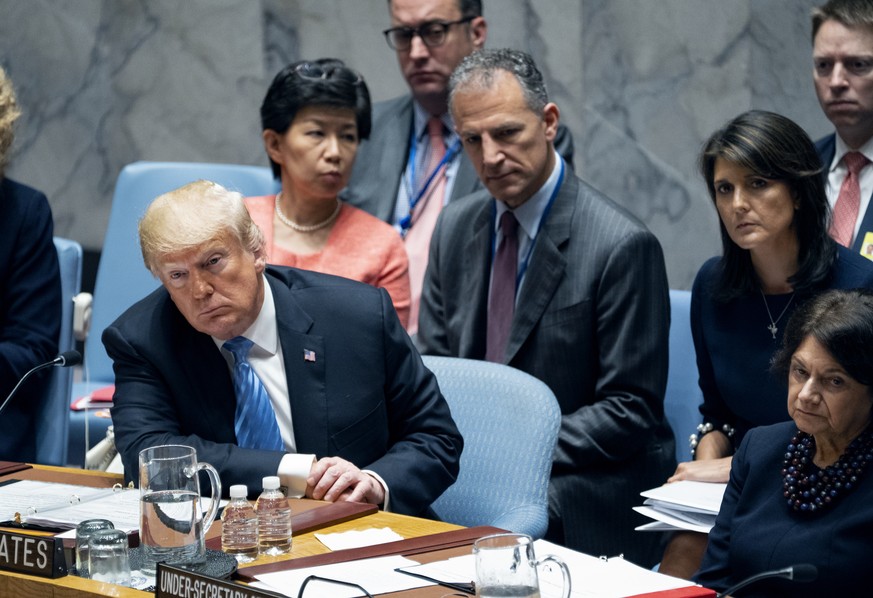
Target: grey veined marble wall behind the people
(640,83)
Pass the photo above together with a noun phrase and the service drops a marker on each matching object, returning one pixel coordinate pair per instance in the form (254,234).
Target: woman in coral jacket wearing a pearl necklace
(314,116)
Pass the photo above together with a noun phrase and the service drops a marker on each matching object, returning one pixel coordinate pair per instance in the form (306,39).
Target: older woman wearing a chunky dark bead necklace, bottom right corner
(801,491)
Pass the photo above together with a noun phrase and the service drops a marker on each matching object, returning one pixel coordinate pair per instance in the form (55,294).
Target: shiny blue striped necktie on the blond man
(255,421)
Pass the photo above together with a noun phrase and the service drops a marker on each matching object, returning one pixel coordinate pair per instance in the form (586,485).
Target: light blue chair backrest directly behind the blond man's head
(122,279)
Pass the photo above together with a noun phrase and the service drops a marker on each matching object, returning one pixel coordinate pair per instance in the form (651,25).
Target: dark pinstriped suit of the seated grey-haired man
(591,322)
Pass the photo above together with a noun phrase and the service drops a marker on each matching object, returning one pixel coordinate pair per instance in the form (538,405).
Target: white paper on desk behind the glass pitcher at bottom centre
(591,577)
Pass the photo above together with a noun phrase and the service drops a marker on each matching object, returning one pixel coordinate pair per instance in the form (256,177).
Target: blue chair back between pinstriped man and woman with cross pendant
(683,396)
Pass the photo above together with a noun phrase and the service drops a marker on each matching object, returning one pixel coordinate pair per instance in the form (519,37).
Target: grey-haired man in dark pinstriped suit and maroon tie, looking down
(583,305)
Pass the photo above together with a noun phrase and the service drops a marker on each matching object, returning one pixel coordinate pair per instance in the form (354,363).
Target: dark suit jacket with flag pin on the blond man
(367,397)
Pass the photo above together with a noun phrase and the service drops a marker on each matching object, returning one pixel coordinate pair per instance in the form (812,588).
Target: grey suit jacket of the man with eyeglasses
(381,161)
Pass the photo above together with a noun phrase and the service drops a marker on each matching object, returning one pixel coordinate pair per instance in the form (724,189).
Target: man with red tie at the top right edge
(842,37)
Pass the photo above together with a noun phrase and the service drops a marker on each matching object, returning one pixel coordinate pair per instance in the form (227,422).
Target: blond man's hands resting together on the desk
(334,479)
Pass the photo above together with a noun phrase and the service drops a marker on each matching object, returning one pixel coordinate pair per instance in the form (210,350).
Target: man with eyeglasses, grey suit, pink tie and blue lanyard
(413,164)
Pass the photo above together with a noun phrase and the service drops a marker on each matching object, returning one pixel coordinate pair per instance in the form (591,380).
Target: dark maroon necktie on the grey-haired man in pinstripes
(501,305)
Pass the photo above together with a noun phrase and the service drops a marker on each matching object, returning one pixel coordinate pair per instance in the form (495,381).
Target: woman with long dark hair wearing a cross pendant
(764,177)
